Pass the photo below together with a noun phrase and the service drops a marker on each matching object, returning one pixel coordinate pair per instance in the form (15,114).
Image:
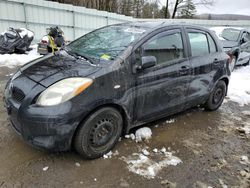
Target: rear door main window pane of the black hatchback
(199,43)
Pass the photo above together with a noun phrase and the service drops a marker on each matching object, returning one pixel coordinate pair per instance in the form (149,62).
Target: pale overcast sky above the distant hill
(224,7)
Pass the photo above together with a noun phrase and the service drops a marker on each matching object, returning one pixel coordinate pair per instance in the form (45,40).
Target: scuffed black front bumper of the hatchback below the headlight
(45,131)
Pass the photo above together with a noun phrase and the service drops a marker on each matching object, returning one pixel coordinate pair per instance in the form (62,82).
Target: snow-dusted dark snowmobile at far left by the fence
(15,40)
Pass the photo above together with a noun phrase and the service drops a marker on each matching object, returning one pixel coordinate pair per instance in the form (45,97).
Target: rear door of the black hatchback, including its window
(206,62)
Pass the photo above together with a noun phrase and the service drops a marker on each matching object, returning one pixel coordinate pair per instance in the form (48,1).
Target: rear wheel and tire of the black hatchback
(217,96)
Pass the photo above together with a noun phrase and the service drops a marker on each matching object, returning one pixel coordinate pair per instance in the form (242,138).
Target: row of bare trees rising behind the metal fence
(144,8)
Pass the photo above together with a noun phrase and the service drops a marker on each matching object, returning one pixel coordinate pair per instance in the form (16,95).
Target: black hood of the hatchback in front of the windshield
(52,68)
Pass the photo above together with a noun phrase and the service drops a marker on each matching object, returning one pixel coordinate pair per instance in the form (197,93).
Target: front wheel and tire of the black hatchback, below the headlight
(98,134)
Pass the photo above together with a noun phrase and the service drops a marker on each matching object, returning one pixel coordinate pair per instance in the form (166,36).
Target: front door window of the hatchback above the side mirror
(165,48)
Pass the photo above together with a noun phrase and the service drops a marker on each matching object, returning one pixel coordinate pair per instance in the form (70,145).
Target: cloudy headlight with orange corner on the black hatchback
(63,91)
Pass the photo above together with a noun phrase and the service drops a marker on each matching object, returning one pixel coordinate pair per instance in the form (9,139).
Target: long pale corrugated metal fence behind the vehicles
(37,15)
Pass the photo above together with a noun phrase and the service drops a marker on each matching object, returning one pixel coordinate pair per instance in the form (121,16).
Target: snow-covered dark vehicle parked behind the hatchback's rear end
(236,43)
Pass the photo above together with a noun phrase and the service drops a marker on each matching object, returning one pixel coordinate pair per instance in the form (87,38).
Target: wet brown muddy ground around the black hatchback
(210,145)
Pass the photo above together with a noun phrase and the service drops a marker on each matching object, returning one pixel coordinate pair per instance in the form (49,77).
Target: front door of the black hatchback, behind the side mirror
(162,89)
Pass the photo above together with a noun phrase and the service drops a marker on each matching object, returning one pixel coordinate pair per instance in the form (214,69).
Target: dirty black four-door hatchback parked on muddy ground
(113,79)
